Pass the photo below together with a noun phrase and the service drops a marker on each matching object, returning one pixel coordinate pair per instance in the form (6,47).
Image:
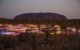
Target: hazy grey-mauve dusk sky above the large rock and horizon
(11,8)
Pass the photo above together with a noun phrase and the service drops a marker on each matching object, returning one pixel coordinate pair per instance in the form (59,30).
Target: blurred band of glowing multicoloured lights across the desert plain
(16,29)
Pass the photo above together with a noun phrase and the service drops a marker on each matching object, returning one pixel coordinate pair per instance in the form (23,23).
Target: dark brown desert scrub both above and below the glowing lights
(34,41)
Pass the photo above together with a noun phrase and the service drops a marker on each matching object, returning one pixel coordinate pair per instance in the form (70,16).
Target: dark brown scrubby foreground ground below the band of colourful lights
(30,41)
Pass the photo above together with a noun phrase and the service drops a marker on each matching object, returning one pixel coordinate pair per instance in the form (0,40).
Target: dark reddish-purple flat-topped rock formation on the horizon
(41,16)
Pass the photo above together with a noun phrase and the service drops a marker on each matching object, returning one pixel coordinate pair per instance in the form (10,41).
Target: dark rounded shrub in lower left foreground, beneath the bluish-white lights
(9,41)
